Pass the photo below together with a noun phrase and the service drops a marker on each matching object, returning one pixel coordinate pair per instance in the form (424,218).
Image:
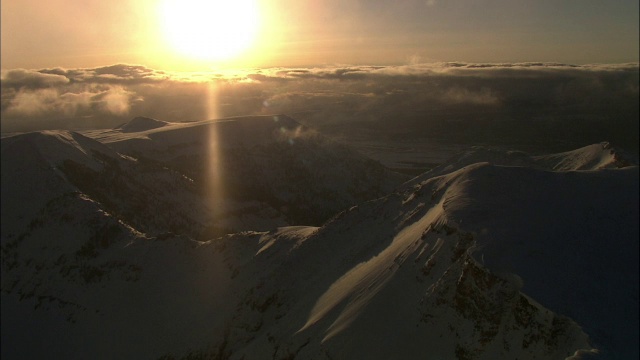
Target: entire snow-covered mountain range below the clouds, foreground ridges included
(477,259)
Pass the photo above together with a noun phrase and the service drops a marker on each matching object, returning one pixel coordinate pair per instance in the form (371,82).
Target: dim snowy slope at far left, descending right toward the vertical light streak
(50,165)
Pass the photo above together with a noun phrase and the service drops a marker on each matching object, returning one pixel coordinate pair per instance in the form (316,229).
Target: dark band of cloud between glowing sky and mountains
(432,99)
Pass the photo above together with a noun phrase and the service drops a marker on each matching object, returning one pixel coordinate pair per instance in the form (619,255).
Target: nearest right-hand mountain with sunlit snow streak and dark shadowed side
(415,262)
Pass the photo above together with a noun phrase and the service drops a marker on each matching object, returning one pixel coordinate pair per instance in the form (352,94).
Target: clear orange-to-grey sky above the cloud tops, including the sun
(93,33)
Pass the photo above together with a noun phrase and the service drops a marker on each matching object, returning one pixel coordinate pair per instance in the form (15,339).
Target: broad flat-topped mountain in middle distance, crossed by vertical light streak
(269,159)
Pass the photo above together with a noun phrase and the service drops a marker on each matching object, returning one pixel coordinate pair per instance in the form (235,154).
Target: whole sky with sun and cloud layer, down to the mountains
(476,70)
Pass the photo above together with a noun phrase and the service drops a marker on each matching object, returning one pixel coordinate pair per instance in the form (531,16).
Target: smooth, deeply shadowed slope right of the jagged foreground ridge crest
(572,237)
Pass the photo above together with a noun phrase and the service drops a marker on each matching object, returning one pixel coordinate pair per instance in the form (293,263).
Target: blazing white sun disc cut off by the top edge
(210,30)
